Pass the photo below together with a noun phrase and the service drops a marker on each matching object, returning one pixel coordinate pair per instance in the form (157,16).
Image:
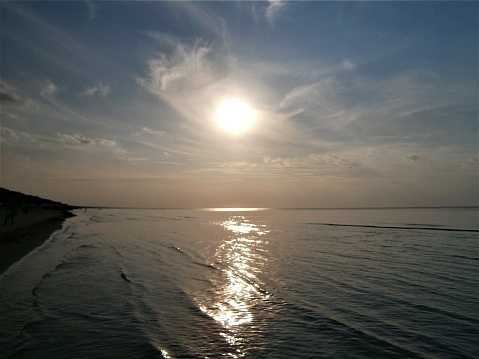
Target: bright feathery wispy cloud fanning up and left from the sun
(189,77)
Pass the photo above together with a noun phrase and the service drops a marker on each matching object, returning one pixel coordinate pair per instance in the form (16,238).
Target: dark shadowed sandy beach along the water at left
(29,230)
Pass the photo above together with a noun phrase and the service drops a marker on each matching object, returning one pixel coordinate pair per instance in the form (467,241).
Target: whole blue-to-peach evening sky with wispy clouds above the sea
(350,104)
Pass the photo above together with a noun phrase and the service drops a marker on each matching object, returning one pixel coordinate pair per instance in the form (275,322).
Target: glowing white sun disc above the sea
(234,116)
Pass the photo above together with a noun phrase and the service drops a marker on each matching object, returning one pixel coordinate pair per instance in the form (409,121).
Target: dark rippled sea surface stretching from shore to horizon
(376,283)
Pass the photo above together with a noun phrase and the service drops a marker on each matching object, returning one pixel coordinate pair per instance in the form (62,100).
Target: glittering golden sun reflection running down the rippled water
(238,289)
